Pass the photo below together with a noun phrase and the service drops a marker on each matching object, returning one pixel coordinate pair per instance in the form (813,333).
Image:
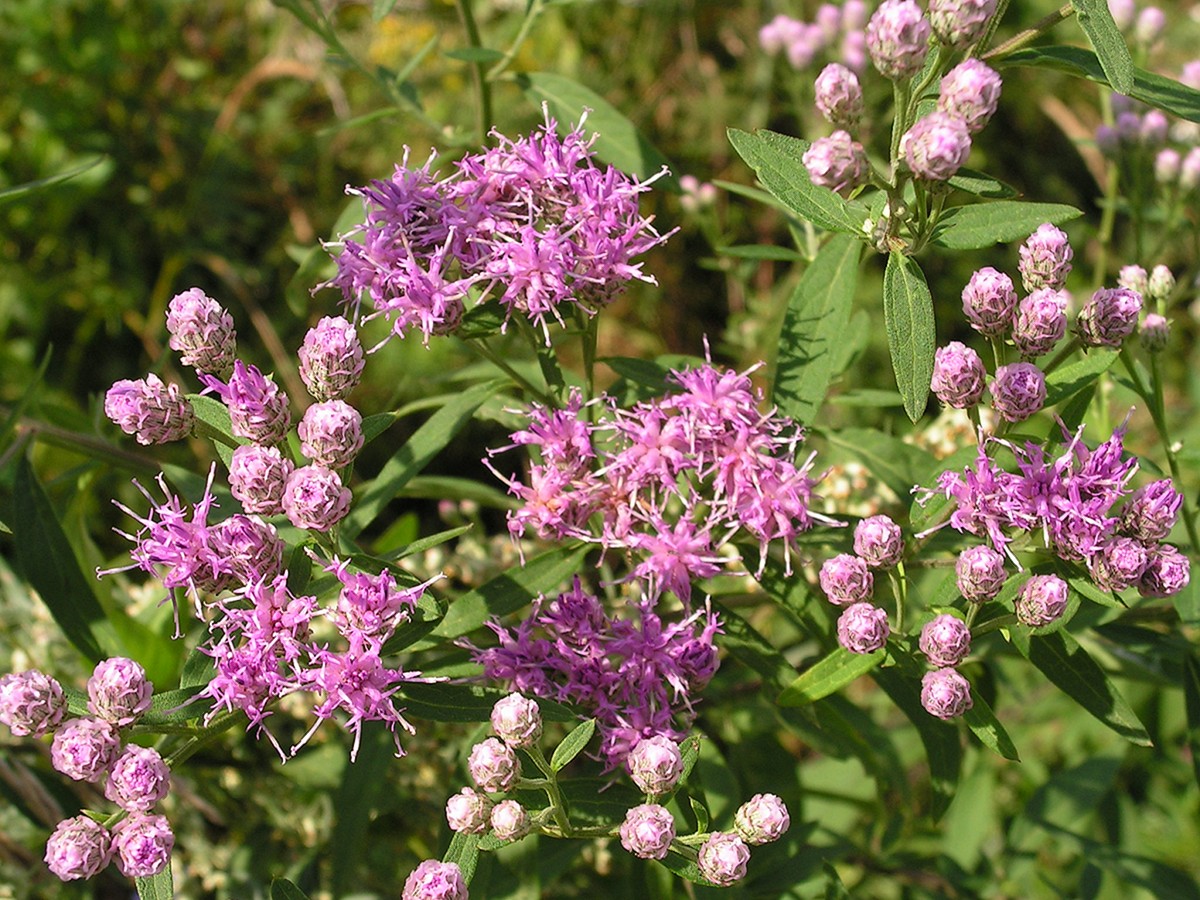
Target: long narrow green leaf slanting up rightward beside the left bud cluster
(427,443)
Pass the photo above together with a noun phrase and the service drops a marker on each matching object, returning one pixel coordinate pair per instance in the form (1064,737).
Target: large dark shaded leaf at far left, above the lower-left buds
(45,556)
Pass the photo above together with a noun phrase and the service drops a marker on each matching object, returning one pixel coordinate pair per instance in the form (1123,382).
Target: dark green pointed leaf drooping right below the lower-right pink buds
(1077,675)
